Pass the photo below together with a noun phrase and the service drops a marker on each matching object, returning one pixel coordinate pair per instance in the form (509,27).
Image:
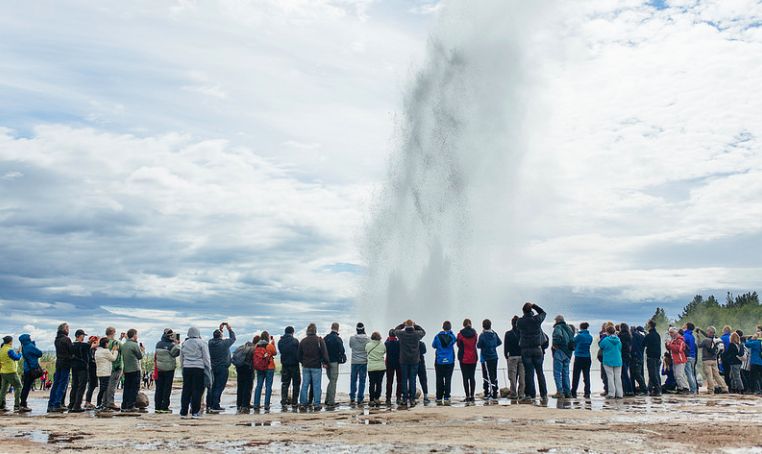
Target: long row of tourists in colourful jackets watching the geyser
(732,362)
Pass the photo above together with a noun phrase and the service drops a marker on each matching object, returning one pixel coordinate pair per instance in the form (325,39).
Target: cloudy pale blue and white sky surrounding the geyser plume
(168,163)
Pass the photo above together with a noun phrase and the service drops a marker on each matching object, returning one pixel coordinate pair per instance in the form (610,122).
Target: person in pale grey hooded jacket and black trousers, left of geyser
(197,369)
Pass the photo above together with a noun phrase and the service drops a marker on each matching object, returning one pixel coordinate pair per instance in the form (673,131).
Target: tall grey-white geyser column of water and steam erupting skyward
(441,232)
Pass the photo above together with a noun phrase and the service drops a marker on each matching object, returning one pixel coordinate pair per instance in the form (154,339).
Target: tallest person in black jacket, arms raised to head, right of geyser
(531,341)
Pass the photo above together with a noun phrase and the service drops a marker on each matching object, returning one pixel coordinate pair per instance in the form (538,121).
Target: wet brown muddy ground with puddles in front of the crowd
(729,424)
